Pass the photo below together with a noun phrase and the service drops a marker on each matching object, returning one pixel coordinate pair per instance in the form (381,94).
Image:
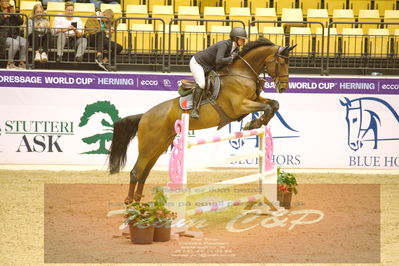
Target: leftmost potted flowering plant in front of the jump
(141,218)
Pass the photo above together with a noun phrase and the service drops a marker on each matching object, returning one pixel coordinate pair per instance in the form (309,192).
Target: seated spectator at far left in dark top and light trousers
(15,43)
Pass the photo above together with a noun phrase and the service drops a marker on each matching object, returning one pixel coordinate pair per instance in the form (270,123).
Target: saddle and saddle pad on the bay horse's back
(212,89)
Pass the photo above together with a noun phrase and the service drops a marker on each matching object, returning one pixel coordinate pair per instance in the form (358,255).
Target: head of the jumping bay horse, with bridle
(276,66)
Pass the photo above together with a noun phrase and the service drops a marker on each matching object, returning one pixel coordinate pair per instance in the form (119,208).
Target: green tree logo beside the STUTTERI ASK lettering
(101,107)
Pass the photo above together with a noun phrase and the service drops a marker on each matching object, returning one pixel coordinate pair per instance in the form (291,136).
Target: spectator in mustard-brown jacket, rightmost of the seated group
(98,32)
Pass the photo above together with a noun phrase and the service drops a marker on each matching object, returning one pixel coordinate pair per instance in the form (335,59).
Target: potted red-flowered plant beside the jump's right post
(286,185)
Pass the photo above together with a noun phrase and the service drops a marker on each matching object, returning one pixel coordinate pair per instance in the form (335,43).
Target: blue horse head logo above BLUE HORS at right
(364,122)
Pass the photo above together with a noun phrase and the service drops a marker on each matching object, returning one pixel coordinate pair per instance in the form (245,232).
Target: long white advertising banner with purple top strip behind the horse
(323,122)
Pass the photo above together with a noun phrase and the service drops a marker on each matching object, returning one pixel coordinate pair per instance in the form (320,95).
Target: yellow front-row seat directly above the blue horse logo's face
(352,42)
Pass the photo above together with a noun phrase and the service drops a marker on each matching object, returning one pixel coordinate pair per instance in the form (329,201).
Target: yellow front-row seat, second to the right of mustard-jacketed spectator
(142,38)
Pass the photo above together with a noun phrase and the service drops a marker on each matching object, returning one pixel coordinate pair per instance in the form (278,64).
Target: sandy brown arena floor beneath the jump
(60,217)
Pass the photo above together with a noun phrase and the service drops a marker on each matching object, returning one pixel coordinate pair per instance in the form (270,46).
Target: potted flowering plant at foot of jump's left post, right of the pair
(164,217)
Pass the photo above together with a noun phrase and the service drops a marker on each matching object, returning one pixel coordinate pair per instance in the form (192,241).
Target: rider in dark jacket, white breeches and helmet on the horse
(214,57)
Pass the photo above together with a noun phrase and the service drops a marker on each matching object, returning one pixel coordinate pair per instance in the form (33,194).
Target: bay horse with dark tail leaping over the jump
(238,97)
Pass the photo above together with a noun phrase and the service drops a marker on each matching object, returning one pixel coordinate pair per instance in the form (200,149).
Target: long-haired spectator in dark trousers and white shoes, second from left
(39,33)
